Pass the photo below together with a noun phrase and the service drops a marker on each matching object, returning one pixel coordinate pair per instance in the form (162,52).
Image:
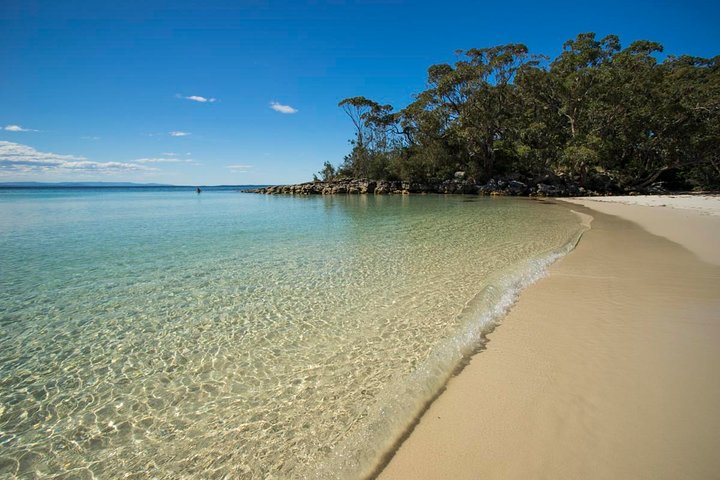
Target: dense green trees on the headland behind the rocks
(596,109)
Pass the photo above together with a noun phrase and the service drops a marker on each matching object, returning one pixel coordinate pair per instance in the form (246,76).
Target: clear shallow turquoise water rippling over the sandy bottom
(159,333)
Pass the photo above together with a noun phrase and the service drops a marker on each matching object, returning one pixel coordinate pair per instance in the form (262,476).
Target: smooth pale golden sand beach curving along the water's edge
(607,368)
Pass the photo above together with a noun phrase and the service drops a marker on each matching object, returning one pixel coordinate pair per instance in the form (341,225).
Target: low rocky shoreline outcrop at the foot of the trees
(544,186)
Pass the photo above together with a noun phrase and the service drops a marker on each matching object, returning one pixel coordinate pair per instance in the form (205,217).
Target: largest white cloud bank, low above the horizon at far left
(16,158)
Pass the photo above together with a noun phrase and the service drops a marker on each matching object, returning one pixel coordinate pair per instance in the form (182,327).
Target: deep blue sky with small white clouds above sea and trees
(113,91)
